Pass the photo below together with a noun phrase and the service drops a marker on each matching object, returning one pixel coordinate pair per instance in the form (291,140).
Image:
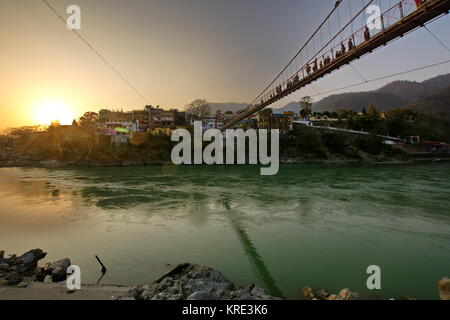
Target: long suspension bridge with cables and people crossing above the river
(324,52)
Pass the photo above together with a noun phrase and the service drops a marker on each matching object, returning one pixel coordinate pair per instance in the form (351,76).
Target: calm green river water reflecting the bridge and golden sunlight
(316,225)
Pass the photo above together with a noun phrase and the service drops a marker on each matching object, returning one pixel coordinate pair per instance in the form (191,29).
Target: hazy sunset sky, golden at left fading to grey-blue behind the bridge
(174,51)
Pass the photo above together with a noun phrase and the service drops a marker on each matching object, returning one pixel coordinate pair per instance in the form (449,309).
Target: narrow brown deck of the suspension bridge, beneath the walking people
(429,11)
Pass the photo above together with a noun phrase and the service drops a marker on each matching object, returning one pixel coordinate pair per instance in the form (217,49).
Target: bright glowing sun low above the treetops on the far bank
(52,110)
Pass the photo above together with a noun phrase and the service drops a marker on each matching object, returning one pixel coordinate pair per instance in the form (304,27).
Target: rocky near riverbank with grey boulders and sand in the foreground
(22,278)
